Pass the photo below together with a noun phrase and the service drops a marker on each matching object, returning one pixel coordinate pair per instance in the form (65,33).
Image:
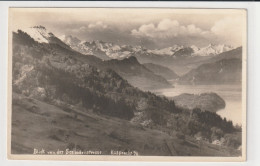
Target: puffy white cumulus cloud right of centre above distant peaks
(166,29)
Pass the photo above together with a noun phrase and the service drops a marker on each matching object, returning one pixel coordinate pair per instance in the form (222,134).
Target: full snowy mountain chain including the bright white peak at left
(106,50)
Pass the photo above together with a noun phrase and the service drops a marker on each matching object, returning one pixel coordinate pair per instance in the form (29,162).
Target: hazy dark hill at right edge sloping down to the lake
(226,68)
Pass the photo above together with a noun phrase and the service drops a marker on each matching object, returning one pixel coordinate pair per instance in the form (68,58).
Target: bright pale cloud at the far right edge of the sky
(229,29)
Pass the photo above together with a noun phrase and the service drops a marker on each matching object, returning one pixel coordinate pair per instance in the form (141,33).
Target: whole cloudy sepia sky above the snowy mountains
(152,28)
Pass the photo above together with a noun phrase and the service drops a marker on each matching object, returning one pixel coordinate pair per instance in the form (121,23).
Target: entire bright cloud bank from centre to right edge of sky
(227,30)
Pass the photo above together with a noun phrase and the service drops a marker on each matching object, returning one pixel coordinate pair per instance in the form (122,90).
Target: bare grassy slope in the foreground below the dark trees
(36,124)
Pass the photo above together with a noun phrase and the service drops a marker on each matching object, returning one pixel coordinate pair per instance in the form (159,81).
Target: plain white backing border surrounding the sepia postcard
(253,111)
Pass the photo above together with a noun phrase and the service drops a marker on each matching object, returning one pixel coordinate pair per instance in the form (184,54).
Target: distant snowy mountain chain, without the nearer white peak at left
(106,50)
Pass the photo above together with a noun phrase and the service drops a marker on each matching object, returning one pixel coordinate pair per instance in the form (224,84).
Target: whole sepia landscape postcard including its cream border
(113,83)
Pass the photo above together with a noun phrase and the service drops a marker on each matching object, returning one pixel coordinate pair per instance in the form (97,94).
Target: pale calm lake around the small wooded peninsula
(232,94)
